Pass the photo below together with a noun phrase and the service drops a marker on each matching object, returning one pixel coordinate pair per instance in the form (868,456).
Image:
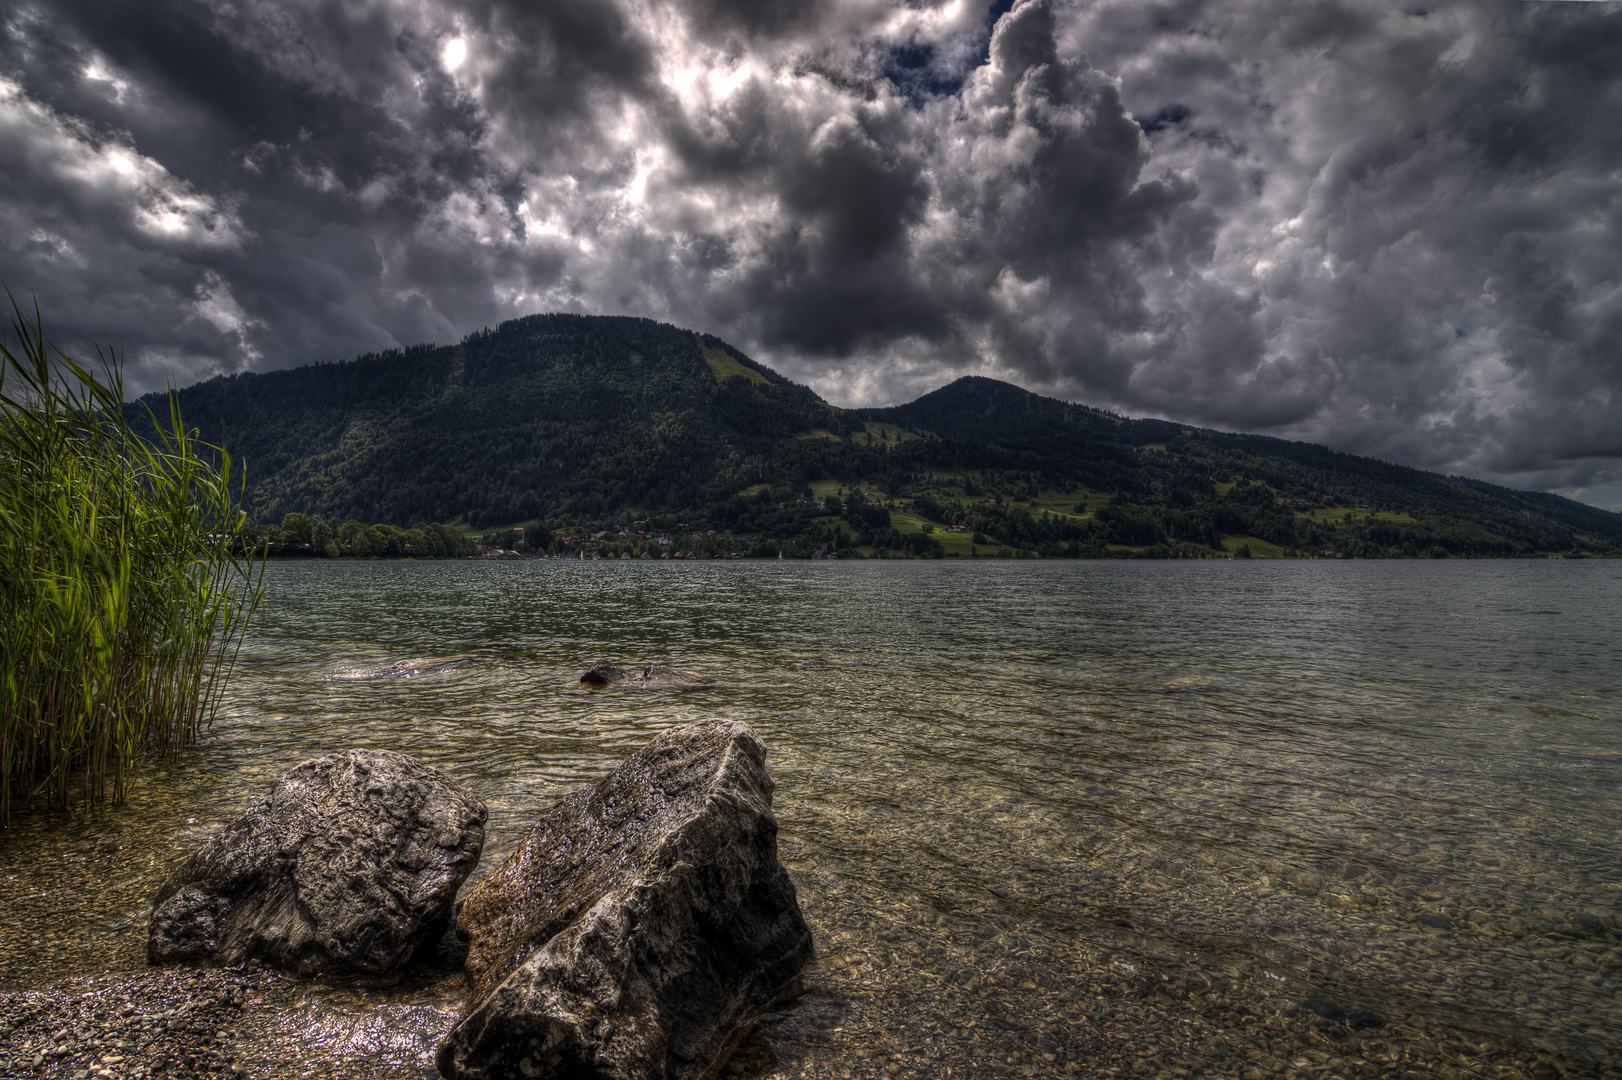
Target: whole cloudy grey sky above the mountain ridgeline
(1394,229)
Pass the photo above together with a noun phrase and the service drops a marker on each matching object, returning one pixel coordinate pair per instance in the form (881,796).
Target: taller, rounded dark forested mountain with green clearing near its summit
(547,416)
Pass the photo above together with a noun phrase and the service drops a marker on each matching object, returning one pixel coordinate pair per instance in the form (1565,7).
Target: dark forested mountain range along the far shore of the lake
(564,434)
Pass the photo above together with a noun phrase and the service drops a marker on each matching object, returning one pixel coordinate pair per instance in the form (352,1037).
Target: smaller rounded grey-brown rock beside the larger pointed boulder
(346,868)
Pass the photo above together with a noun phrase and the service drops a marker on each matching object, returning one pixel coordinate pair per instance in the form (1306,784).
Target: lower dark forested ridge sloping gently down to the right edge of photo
(1178,476)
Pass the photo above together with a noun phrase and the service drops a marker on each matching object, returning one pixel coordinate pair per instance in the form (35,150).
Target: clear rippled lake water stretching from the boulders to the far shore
(1045,818)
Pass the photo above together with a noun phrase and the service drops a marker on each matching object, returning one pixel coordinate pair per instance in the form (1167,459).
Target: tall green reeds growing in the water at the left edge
(122,602)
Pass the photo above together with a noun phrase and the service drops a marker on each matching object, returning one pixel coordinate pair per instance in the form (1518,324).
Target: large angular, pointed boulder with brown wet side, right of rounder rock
(640,928)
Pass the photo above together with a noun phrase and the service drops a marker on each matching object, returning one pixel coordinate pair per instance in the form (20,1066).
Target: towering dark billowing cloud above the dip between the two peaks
(929,233)
